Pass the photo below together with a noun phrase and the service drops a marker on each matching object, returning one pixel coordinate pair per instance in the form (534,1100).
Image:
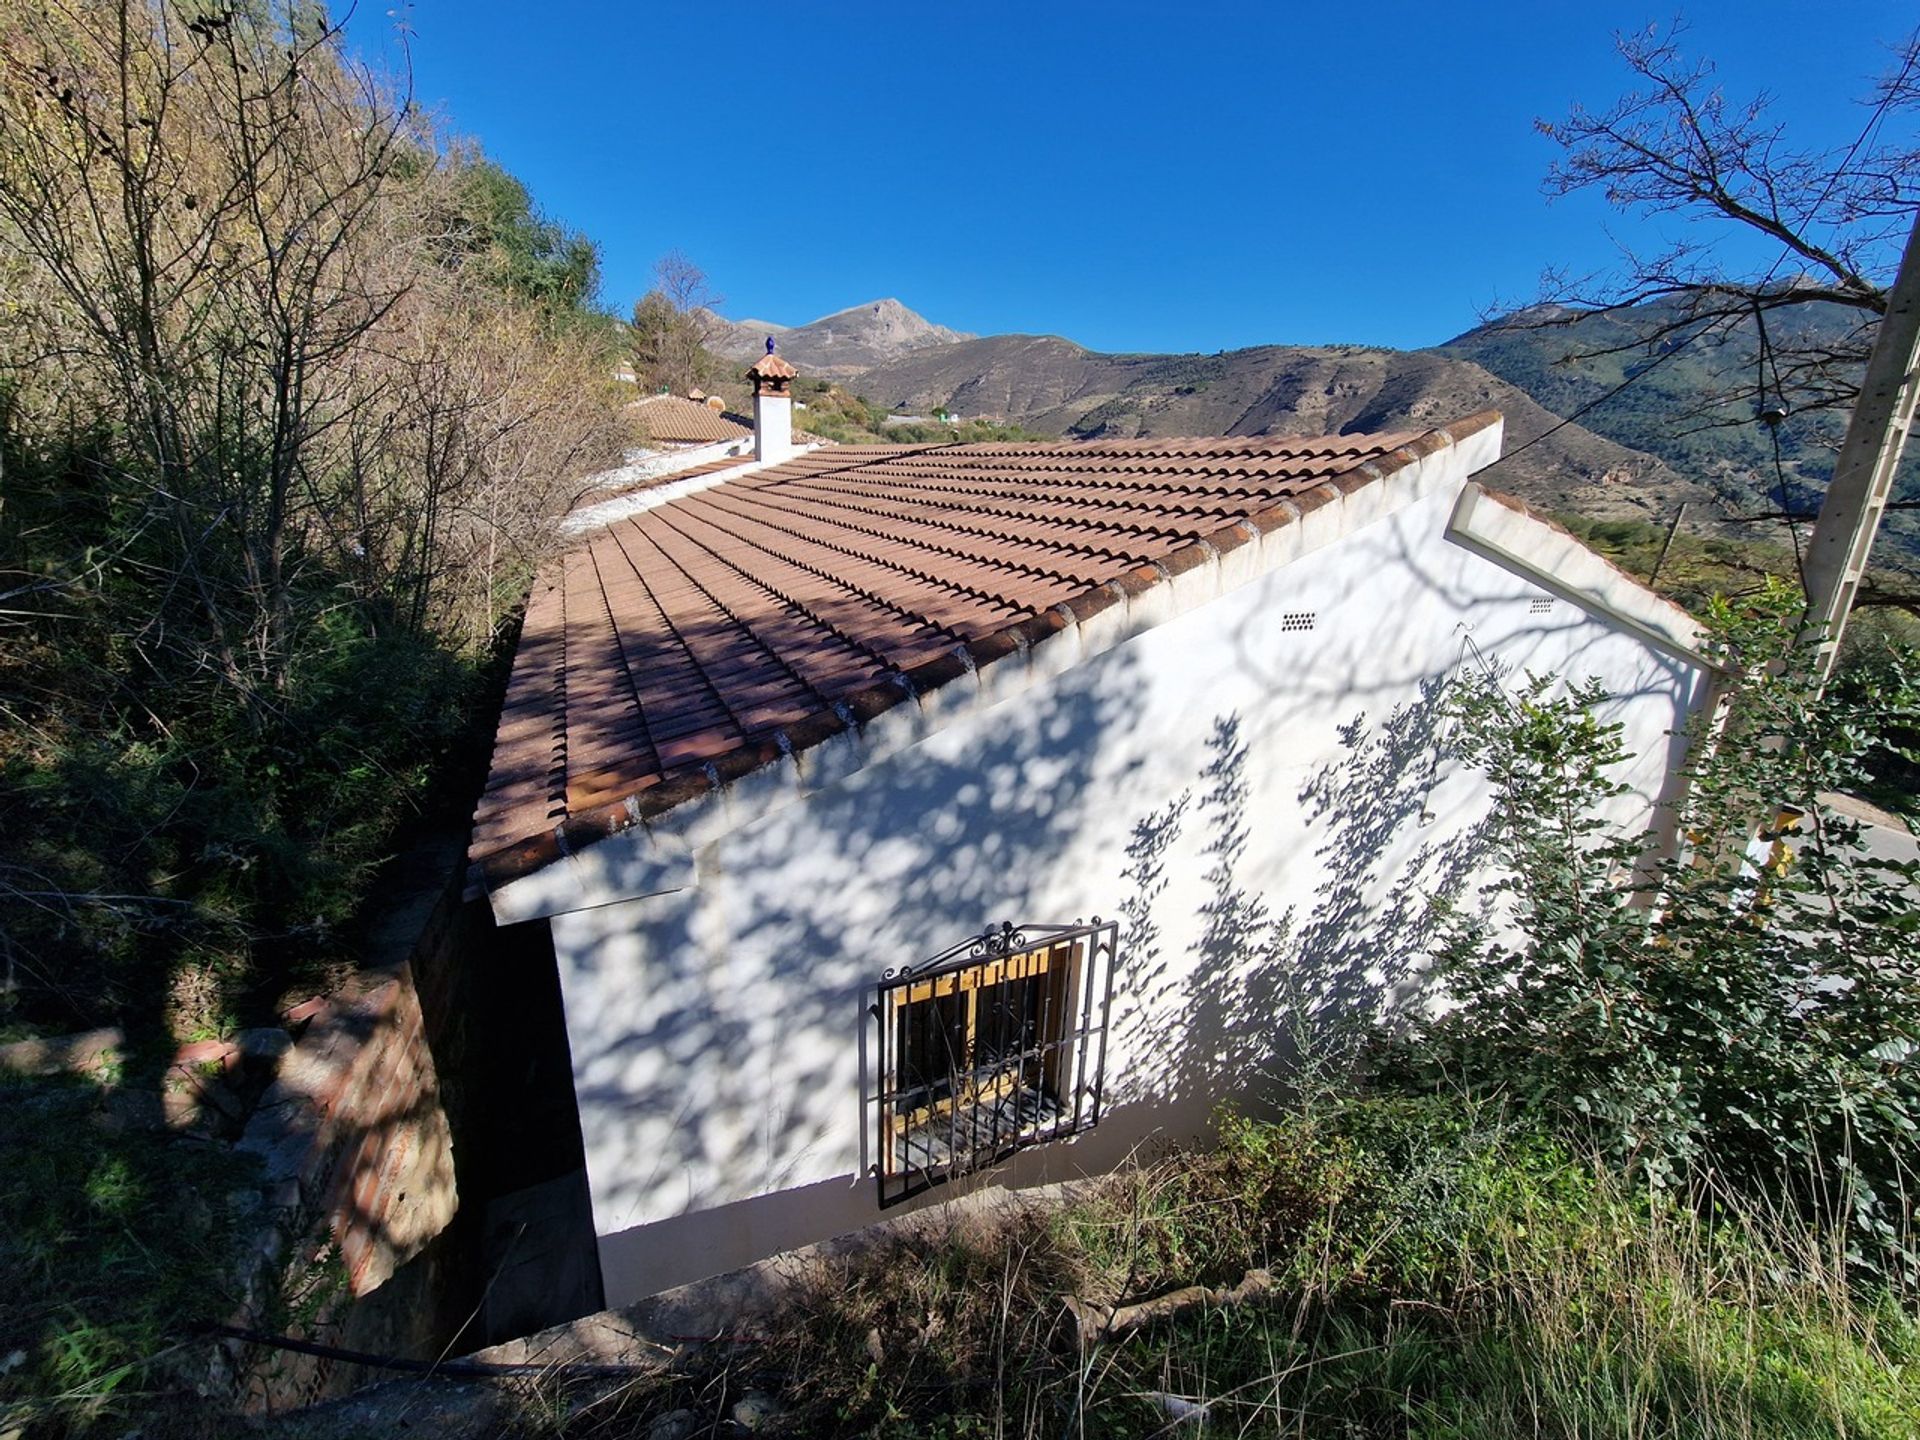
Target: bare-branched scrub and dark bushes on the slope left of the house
(291,395)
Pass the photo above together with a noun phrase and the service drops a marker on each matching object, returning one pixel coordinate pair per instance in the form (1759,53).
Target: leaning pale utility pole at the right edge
(1871,454)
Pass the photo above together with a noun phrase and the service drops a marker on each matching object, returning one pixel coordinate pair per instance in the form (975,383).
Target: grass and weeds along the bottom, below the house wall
(1437,1278)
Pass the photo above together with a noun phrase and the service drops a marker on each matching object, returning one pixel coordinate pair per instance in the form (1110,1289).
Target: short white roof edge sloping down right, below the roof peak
(1562,565)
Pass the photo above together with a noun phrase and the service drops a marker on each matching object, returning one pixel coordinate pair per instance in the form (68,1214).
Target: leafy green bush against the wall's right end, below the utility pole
(1737,1011)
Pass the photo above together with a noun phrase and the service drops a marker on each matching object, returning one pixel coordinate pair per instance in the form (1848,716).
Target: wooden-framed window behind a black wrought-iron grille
(990,1047)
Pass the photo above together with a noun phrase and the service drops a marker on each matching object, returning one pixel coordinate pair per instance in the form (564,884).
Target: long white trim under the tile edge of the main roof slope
(652,857)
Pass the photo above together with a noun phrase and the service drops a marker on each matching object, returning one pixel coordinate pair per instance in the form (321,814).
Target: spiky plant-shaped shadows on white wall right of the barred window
(1259,986)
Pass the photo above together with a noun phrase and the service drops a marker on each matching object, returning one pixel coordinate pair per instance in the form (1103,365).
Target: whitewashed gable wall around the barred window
(1201,782)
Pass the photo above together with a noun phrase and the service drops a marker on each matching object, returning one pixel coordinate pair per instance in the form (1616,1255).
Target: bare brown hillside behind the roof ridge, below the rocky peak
(1055,387)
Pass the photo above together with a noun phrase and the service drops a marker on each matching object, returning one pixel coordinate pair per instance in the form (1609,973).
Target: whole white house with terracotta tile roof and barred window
(786,756)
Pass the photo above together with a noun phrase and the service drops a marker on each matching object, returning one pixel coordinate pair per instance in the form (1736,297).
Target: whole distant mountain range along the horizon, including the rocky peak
(1683,431)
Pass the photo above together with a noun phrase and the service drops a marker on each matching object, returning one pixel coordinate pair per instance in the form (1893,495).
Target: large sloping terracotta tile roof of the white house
(761,615)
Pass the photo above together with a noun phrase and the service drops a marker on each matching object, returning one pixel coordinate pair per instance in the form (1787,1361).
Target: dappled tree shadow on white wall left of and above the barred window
(738,1072)
